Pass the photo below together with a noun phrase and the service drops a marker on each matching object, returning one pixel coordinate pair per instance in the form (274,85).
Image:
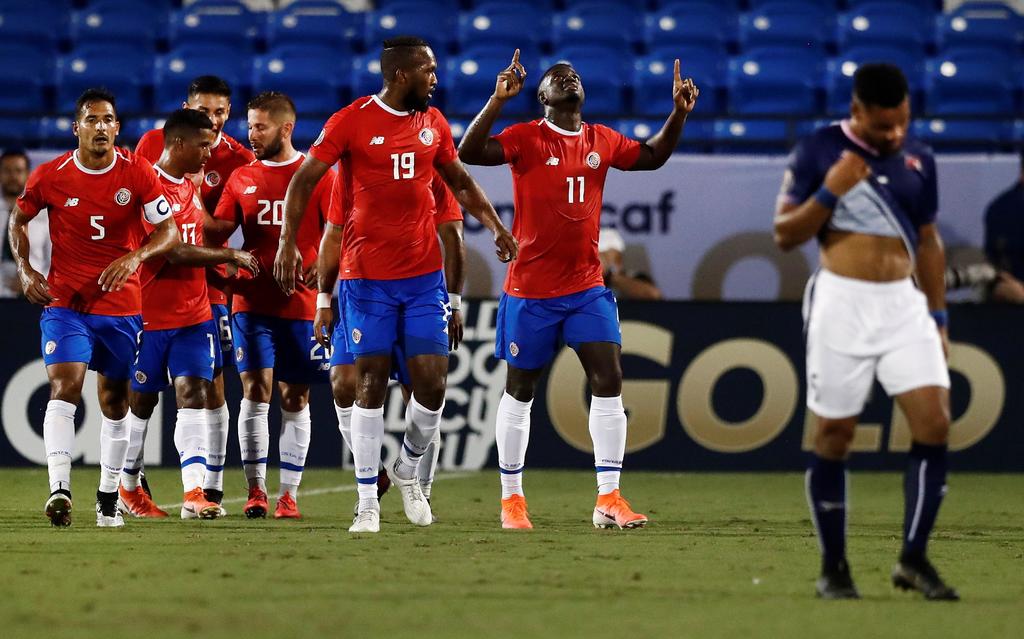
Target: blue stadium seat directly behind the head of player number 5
(125,71)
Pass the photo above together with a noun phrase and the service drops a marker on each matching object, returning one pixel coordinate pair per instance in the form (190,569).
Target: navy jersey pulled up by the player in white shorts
(899,198)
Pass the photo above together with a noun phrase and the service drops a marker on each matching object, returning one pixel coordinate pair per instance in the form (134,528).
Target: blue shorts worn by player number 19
(378,314)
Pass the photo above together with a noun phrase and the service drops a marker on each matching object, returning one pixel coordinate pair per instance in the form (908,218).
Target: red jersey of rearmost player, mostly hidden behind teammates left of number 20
(226,156)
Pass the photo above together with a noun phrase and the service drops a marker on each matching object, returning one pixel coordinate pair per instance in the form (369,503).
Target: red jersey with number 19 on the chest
(389,160)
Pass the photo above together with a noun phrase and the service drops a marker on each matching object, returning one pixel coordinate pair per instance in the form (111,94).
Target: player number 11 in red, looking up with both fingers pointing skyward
(556,292)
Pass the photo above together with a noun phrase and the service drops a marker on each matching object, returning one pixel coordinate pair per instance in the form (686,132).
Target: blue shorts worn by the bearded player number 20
(288,347)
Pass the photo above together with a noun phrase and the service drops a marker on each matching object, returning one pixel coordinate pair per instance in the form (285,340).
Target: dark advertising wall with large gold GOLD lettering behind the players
(709,387)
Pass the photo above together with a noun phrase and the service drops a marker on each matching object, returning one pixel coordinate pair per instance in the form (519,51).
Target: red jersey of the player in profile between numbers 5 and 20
(175,295)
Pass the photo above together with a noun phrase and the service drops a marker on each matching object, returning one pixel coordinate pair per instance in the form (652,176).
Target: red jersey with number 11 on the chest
(559,183)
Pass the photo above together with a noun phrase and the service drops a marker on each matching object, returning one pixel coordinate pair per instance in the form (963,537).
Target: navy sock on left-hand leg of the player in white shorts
(826,483)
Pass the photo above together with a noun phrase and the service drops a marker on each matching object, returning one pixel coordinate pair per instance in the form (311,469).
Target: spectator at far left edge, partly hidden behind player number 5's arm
(14,176)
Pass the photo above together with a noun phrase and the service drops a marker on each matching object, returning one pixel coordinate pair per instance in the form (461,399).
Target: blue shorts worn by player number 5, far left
(107,344)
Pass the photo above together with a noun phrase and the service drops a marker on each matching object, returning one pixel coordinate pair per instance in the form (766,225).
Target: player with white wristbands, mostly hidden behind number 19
(450,229)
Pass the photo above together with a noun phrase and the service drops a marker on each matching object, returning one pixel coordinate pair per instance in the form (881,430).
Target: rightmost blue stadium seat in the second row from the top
(971,81)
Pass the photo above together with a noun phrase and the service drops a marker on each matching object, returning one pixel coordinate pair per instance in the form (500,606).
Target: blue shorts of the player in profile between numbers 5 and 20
(189,352)
